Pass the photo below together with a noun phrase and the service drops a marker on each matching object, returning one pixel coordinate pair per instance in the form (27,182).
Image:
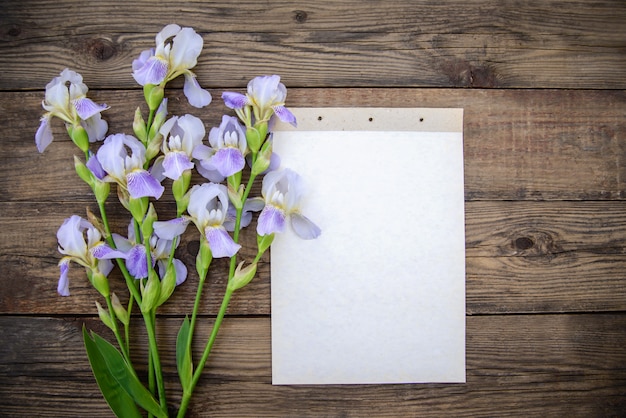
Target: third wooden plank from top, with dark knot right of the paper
(521,257)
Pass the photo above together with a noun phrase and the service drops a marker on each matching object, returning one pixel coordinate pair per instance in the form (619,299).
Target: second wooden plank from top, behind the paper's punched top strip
(519,145)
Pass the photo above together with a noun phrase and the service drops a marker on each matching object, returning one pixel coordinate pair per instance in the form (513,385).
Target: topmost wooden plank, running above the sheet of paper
(554,44)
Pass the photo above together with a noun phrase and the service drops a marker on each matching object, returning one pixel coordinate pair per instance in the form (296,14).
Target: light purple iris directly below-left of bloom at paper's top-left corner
(226,154)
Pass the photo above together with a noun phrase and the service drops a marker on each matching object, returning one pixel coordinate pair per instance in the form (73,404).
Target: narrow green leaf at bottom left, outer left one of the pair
(120,402)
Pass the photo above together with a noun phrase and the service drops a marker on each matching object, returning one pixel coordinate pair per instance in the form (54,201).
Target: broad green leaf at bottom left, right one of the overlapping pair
(121,375)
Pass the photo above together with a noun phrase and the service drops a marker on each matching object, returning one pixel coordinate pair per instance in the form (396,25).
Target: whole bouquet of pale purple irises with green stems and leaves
(237,153)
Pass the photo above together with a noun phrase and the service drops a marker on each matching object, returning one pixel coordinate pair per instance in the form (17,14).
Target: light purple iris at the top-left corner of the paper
(266,96)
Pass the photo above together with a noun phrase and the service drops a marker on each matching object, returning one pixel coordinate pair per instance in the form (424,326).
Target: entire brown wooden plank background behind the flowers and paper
(543,85)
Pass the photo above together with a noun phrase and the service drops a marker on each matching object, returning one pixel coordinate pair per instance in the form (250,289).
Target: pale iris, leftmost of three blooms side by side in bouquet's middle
(122,157)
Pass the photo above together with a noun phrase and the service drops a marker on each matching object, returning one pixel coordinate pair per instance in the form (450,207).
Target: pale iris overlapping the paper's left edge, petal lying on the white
(282,192)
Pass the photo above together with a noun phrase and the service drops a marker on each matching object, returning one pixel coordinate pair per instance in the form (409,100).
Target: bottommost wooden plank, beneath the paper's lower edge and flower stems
(546,365)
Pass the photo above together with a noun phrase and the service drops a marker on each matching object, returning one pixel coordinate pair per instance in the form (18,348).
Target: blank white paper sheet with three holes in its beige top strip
(379,297)
